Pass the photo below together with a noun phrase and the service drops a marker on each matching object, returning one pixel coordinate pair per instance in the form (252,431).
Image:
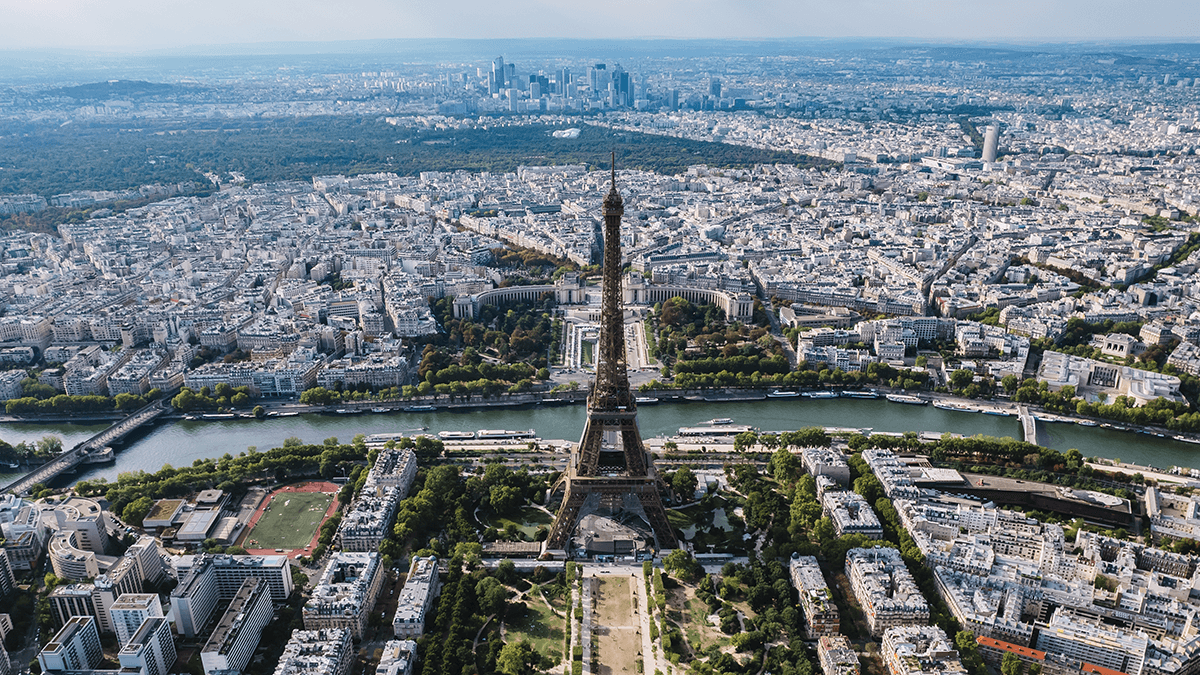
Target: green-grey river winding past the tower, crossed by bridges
(182,443)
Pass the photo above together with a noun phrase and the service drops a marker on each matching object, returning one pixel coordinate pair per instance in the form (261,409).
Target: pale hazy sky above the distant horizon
(136,25)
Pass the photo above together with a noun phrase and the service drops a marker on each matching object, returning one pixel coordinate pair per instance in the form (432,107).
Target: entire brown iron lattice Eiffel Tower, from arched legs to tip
(611,468)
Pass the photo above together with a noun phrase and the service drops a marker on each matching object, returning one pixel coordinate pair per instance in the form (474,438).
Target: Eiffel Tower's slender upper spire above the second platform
(611,391)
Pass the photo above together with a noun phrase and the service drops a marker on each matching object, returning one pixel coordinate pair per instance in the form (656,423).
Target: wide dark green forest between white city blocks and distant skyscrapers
(50,159)
